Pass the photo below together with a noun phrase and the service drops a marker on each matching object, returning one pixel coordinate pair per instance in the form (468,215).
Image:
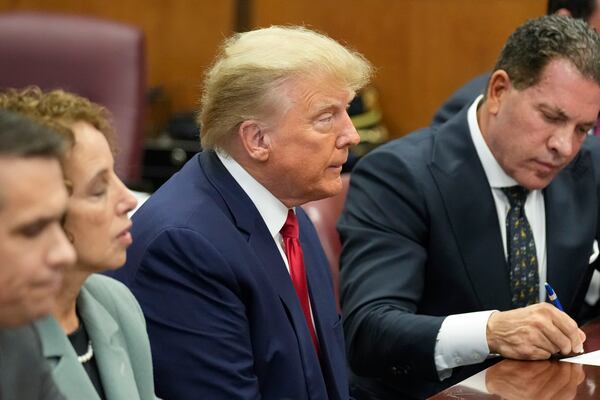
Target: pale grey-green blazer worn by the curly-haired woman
(116,327)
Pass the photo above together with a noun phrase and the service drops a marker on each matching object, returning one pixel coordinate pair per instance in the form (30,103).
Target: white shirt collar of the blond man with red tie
(272,211)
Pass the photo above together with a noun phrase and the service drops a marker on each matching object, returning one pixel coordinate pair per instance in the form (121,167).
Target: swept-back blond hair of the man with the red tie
(251,65)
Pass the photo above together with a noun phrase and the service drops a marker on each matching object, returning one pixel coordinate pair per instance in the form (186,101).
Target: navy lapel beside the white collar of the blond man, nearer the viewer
(250,223)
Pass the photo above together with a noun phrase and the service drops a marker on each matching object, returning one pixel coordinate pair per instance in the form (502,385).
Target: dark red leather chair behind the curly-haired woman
(98,59)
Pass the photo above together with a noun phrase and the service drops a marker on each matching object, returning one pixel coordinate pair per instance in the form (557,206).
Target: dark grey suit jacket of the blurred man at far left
(24,374)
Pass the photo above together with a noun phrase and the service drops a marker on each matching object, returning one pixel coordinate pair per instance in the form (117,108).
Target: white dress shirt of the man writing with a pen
(462,337)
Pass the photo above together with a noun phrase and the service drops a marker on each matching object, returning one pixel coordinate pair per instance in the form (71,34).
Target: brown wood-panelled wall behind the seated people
(423,49)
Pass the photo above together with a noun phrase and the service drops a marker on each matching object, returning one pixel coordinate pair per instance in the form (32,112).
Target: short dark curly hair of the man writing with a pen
(533,45)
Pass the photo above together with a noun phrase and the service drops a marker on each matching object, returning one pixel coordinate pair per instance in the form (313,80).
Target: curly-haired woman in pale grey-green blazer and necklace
(96,335)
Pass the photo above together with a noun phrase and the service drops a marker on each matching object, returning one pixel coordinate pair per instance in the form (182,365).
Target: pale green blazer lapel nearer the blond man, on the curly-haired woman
(113,362)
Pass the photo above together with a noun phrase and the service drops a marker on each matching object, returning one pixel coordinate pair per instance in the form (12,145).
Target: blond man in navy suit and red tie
(227,267)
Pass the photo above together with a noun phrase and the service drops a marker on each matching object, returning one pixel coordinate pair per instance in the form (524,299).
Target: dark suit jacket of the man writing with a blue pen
(421,241)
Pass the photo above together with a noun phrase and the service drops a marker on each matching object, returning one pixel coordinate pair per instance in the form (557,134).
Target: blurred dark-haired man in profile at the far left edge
(33,251)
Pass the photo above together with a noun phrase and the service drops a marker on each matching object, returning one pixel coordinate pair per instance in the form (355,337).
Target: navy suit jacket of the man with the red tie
(223,317)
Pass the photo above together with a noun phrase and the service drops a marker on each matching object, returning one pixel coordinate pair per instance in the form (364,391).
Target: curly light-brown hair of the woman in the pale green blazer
(58,110)
